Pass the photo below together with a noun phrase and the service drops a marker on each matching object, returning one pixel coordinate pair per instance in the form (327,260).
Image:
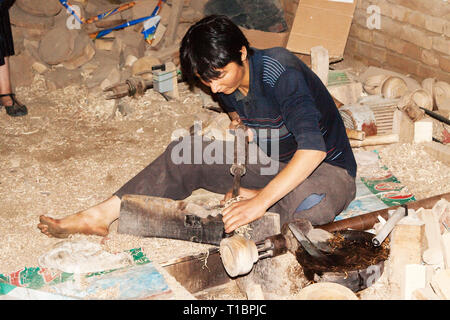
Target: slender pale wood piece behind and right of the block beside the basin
(433,255)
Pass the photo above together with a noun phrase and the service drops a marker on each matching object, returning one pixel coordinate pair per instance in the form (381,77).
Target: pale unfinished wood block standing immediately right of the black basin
(406,248)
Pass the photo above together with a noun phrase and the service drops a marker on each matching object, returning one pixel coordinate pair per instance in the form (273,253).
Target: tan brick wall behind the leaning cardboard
(413,36)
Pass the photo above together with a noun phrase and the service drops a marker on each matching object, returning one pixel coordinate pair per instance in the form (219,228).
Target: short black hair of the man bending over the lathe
(211,44)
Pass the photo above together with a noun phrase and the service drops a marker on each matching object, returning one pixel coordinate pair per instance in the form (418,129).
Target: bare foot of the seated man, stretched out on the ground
(93,221)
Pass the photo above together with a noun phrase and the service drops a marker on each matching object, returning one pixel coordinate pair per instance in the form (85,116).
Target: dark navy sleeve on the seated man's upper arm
(298,109)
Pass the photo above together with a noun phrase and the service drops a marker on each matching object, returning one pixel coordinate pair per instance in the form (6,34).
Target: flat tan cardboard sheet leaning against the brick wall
(321,23)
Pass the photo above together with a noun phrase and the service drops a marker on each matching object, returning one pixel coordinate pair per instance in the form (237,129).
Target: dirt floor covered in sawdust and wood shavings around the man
(75,149)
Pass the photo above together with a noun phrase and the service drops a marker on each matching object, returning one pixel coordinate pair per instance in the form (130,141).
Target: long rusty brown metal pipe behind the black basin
(367,221)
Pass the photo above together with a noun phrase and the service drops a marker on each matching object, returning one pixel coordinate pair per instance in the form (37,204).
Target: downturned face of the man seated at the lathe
(229,80)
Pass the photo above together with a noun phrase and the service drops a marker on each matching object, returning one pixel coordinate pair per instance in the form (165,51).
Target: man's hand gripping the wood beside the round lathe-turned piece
(241,213)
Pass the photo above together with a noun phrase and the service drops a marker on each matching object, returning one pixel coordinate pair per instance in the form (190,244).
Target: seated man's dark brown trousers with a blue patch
(322,196)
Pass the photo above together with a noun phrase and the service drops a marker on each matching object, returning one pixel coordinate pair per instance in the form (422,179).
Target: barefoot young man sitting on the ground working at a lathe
(291,117)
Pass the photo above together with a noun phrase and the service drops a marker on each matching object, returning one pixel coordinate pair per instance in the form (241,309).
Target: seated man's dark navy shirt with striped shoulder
(288,104)
